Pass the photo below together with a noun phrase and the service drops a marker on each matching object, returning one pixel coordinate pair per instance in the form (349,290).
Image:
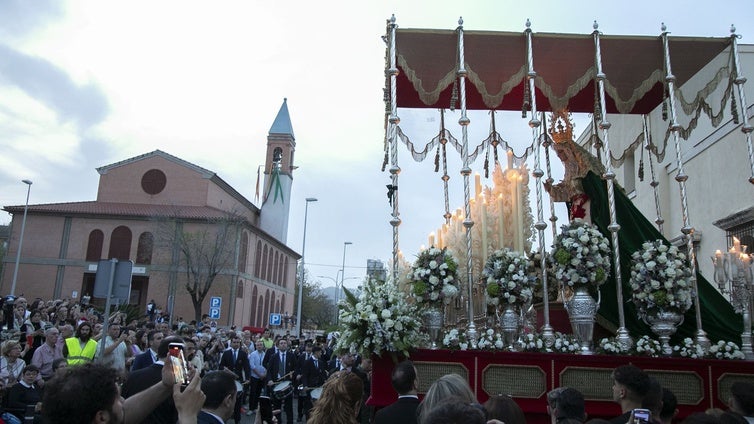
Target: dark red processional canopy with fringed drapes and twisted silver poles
(482,70)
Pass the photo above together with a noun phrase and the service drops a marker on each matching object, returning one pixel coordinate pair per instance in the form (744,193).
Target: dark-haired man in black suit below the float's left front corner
(402,411)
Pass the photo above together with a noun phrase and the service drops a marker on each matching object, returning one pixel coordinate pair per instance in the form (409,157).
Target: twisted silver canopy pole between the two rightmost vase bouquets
(622,336)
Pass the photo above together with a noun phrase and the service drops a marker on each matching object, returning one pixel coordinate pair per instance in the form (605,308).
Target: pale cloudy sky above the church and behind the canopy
(87,83)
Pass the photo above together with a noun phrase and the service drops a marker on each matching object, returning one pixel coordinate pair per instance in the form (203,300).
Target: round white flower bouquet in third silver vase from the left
(581,255)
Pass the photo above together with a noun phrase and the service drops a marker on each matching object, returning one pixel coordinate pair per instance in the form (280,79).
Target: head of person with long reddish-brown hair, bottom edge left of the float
(340,400)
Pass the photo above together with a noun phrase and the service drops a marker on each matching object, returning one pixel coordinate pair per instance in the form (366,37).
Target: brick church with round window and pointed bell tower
(142,203)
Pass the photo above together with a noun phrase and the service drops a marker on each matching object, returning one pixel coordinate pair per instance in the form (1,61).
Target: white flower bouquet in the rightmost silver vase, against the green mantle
(660,279)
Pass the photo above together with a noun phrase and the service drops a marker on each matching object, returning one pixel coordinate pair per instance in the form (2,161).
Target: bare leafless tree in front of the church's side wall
(202,254)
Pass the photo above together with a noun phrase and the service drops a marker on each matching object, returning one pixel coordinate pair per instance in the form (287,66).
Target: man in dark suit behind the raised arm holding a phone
(144,378)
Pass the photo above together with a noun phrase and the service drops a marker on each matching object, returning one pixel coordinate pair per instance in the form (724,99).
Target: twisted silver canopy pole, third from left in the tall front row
(535,124)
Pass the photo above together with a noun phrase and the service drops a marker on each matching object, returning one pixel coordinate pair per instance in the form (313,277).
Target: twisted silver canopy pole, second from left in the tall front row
(464,121)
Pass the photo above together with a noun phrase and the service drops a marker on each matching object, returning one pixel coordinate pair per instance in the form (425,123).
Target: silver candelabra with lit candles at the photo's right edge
(733,275)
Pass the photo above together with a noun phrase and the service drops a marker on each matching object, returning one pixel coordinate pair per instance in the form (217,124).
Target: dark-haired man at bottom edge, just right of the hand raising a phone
(219,406)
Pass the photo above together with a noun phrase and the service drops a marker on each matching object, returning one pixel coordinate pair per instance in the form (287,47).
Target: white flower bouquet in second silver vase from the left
(509,277)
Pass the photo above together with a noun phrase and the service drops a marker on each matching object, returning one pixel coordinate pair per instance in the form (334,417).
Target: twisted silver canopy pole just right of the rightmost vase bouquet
(681,177)
